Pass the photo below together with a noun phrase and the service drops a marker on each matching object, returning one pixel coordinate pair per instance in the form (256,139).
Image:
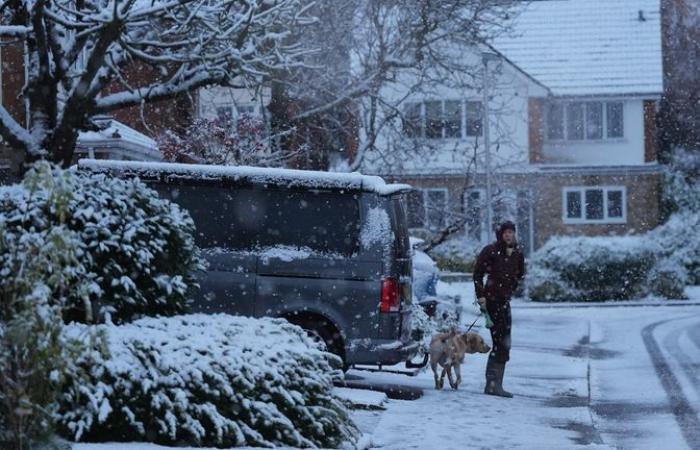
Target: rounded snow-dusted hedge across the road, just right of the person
(597,269)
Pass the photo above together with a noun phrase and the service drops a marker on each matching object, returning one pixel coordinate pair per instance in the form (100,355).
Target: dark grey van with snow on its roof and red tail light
(329,252)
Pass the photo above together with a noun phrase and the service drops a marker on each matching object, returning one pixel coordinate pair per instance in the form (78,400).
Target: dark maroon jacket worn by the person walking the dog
(504,272)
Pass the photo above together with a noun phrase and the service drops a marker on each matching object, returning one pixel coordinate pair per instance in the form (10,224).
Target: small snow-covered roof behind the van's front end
(119,138)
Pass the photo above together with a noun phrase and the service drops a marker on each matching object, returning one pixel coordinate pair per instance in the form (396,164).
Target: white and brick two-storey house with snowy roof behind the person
(571,93)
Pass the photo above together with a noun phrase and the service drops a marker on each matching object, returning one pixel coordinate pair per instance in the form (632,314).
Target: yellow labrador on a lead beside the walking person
(448,349)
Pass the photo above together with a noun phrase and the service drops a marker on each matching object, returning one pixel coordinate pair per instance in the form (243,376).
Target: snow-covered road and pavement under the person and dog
(605,377)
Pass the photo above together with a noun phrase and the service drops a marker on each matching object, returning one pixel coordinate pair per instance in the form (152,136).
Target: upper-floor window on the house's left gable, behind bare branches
(442,119)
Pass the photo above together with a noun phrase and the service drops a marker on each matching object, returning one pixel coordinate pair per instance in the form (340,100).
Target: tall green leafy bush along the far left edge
(39,270)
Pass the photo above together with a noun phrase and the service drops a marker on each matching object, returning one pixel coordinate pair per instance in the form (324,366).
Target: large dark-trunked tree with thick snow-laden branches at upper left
(80,52)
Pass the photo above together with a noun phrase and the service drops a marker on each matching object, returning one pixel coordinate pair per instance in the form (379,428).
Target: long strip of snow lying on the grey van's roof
(263,175)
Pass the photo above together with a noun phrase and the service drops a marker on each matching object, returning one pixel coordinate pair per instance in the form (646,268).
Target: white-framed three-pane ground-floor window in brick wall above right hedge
(594,205)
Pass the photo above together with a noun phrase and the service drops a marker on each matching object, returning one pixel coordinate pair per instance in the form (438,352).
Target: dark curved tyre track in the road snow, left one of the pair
(685,415)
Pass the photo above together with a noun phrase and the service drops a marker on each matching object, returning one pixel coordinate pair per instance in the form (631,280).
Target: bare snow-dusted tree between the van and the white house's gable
(363,47)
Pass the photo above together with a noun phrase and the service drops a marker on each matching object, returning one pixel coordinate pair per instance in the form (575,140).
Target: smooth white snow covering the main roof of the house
(588,47)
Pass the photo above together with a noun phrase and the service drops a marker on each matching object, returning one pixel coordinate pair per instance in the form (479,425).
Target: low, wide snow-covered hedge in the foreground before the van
(208,380)
